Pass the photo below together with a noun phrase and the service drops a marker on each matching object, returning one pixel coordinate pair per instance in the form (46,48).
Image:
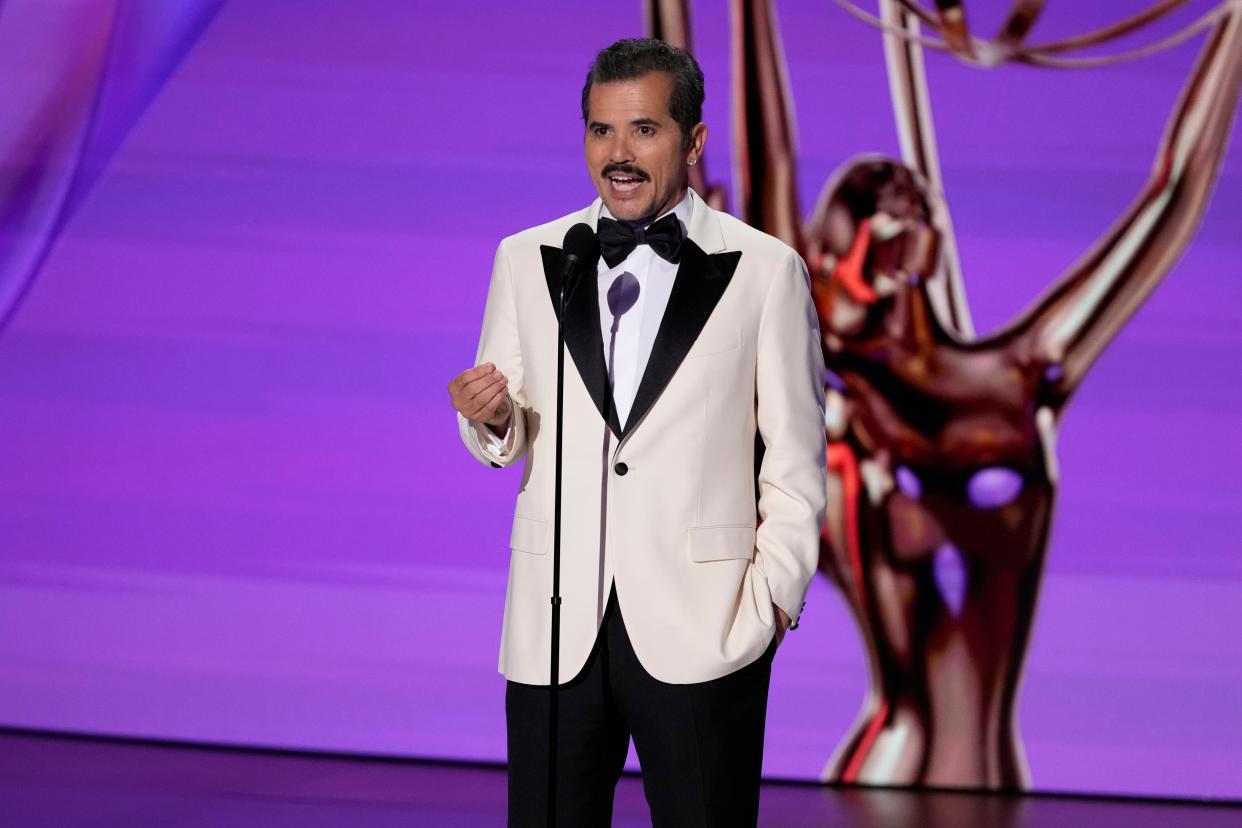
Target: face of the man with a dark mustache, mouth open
(635,151)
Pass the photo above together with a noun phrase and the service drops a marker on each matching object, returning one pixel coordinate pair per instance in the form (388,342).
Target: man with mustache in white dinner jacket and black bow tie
(691,335)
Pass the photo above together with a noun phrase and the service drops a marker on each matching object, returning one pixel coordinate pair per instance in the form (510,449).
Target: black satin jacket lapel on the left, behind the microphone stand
(583,333)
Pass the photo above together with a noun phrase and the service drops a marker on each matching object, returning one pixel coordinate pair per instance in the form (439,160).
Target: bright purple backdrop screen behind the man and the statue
(234,507)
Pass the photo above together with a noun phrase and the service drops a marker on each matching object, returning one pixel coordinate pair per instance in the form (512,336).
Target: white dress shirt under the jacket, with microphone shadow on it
(638,290)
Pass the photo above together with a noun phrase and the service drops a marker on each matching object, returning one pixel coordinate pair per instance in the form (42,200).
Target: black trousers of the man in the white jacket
(700,745)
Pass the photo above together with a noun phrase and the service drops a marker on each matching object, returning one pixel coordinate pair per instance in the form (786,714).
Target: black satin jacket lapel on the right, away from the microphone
(700,284)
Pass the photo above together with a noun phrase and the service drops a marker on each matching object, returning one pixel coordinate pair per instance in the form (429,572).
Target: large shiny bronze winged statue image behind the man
(942,445)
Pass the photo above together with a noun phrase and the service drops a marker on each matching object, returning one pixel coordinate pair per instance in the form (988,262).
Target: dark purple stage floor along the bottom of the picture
(65,781)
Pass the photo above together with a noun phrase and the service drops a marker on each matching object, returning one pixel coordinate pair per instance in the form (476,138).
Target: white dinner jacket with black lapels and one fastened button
(665,508)
